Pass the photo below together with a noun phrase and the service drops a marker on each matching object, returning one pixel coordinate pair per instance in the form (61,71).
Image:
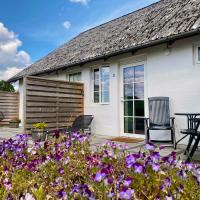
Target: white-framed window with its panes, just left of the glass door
(101,79)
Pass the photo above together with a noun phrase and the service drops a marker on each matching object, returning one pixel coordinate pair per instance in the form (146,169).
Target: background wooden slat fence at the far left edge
(9,106)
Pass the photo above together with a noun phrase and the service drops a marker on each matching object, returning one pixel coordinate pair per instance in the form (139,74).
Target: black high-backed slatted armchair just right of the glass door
(159,119)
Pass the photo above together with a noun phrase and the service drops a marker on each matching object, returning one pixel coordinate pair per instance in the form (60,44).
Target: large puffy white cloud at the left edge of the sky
(12,60)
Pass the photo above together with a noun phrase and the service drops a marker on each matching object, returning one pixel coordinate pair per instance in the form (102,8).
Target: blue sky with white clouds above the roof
(30,29)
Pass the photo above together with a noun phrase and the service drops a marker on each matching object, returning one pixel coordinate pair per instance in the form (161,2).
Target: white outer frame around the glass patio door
(121,103)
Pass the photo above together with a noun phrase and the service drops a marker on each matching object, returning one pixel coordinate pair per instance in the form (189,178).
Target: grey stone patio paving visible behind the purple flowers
(96,140)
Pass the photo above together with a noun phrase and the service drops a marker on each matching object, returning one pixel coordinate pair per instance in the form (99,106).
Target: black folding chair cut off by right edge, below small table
(194,136)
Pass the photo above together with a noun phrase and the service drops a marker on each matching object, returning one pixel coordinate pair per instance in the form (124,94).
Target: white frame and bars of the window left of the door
(100,85)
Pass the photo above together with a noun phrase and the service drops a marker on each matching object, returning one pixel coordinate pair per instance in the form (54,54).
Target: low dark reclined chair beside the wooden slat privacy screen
(82,123)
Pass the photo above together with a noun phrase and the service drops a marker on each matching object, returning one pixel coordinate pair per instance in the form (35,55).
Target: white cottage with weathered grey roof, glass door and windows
(154,51)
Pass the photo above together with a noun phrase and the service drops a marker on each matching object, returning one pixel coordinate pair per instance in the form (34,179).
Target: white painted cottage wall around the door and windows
(173,74)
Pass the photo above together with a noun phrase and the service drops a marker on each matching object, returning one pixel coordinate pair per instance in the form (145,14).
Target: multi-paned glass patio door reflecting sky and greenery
(132,100)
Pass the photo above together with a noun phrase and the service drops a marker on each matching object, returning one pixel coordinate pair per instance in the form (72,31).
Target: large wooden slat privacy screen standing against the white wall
(54,102)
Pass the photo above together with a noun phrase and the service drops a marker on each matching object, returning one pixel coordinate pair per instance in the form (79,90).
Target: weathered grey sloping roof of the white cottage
(159,22)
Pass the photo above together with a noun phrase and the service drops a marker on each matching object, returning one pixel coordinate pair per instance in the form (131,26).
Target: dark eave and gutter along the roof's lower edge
(138,47)
